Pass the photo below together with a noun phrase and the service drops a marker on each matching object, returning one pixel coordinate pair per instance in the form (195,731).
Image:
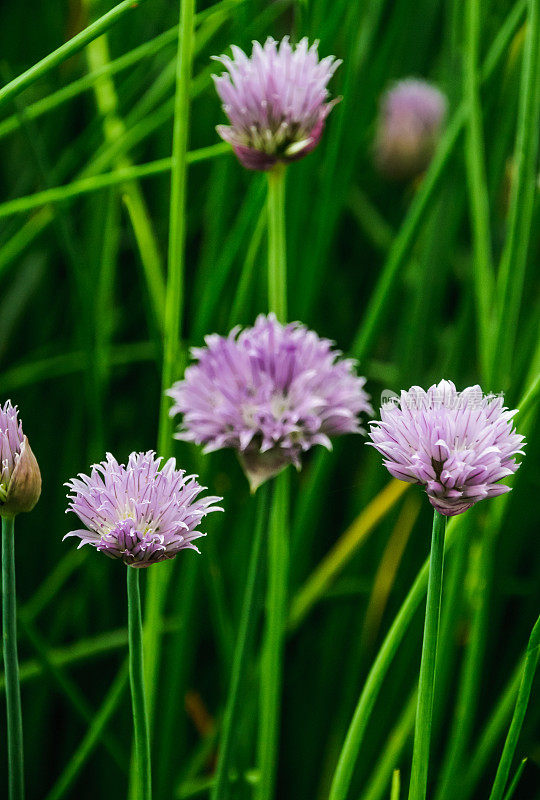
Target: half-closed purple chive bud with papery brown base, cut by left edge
(20,478)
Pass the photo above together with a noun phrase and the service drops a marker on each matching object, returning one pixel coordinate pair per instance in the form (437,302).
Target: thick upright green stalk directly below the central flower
(274,638)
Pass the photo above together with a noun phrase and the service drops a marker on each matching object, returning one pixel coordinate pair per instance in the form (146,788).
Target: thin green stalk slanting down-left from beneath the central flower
(243,643)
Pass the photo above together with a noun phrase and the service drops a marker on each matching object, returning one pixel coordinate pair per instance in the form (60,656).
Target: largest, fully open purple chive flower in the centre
(271,392)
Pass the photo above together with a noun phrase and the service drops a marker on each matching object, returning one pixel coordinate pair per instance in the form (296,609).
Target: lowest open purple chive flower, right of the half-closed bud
(139,513)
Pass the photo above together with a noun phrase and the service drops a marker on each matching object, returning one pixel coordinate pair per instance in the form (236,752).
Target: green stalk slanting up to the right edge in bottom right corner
(532,656)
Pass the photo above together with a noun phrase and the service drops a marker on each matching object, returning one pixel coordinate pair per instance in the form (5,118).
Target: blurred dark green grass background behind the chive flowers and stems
(81,314)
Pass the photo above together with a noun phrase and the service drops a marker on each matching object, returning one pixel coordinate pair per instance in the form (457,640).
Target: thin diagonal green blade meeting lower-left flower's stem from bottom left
(92,737)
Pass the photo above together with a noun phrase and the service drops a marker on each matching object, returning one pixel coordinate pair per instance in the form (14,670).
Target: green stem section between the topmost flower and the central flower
(277,254)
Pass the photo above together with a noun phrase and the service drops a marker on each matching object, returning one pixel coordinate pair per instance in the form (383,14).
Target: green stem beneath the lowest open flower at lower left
(136,677)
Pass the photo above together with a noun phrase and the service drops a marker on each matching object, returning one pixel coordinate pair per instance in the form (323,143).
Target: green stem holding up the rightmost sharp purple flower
(426,685)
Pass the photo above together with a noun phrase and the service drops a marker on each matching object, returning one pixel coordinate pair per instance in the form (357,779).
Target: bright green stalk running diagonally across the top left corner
(65,51)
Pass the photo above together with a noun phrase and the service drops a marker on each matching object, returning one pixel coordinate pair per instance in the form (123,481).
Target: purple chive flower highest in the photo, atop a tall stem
(276,101)
